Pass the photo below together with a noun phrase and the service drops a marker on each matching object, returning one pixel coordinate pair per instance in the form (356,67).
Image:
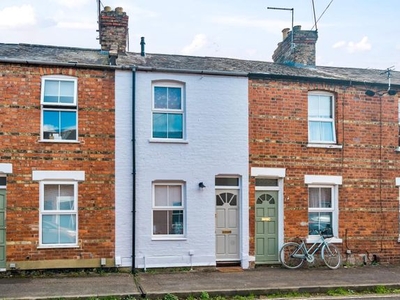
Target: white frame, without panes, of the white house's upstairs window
(181,111)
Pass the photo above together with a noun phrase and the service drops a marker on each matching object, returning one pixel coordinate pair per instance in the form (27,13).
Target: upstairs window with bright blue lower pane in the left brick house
(59,109)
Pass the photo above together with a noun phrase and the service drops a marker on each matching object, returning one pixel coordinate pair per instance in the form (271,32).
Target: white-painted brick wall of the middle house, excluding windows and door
(217,144)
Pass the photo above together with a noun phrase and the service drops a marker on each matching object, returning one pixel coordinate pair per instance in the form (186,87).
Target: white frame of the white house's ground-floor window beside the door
(182,208)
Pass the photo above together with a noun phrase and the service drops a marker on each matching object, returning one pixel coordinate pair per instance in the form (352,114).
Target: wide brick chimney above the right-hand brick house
(297,48)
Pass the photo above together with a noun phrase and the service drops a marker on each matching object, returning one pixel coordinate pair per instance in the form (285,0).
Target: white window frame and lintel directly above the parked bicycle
(325,181)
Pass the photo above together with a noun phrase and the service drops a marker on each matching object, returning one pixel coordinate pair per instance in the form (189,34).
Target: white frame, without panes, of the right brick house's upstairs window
(317,119)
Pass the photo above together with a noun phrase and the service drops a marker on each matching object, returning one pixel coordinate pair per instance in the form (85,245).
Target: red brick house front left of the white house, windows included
(56,164)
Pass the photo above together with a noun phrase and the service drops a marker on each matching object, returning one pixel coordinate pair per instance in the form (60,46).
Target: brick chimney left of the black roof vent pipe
(113,28)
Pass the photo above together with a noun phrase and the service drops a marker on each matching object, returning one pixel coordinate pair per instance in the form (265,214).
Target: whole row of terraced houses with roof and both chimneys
(129,159)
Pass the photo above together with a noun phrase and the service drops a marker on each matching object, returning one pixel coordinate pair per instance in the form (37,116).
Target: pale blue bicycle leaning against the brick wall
(293,254)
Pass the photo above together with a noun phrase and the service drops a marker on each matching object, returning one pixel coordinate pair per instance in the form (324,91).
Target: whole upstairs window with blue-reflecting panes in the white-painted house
(168,112)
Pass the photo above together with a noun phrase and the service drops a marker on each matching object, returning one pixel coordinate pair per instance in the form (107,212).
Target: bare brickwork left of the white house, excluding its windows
(20,113)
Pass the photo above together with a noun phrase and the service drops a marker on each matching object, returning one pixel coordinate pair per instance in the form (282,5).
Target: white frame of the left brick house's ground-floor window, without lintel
(57,212)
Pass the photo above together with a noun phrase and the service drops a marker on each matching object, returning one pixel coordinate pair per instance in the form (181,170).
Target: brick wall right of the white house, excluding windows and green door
(367,161)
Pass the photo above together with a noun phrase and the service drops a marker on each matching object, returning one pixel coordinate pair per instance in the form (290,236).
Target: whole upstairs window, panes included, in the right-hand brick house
(321,119)
